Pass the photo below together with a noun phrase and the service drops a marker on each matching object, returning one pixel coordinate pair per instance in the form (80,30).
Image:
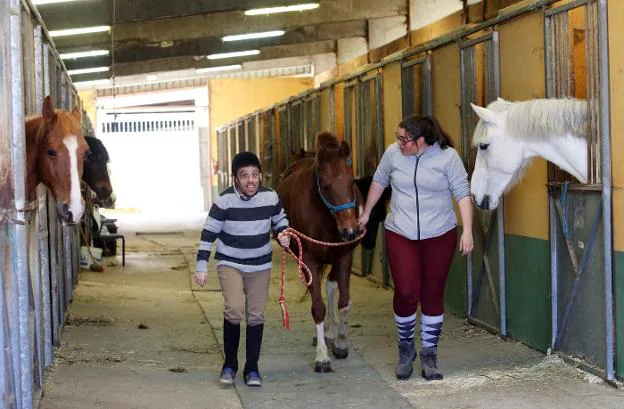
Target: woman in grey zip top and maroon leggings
(425,173)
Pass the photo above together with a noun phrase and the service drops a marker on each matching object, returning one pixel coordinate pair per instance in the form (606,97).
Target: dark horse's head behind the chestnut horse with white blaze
(96,173)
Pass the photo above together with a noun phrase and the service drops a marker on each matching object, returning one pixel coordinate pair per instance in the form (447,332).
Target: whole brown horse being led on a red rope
(321,201)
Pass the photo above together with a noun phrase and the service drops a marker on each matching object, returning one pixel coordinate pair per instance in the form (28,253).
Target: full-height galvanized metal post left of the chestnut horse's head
(19,229)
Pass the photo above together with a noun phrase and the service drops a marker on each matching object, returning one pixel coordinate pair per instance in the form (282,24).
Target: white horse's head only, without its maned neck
(500,158)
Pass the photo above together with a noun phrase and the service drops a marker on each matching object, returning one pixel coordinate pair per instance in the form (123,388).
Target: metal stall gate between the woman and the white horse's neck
(480,81)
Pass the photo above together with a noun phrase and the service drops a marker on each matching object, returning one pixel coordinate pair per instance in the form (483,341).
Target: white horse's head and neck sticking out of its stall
(509,134)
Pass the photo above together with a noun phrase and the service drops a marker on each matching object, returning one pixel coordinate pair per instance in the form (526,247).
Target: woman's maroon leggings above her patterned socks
(419,269)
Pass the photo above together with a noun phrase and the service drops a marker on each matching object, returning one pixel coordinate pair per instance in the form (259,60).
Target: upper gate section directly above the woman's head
(416,86)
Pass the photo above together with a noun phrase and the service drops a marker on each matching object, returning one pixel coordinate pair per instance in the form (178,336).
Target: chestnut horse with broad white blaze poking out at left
(55,152)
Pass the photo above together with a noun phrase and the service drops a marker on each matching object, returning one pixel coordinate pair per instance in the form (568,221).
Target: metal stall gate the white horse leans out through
(580,215)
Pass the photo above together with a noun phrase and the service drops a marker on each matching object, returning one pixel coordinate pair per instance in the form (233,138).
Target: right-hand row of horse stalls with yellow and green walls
(542,269)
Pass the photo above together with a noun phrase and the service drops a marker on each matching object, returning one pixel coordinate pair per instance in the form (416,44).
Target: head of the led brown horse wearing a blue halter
(335,183)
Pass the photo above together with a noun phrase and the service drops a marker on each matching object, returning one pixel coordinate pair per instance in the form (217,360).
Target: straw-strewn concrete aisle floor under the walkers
(144,336)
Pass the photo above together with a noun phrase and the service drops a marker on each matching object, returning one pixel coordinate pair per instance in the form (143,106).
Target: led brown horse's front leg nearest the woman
(340,349)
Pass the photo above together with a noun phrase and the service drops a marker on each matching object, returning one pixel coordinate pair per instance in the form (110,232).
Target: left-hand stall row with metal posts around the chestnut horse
(38,255)
